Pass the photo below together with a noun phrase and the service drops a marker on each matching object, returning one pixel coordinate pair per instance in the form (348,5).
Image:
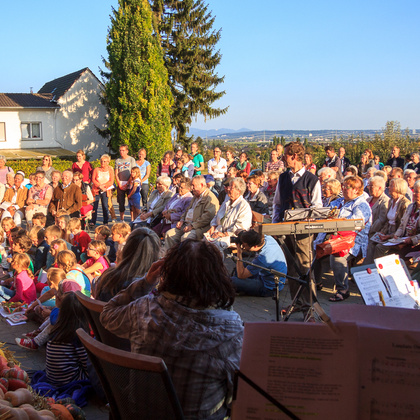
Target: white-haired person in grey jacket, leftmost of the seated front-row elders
(152,213)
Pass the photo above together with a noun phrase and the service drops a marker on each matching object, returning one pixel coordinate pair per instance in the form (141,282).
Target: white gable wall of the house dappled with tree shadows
(80,112)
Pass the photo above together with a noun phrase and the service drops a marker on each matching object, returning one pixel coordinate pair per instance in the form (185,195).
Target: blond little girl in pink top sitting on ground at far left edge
(23,289)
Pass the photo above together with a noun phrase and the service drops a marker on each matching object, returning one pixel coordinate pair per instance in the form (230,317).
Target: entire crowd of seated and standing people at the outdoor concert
(162,269)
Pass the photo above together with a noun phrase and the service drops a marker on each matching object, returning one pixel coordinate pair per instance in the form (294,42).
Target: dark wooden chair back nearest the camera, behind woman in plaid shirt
(137,386)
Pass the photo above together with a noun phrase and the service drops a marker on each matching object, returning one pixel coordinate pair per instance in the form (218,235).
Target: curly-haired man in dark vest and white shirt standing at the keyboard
(297,188)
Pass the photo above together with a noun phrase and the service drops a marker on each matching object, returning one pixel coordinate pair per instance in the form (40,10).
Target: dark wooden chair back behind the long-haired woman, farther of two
(92,309)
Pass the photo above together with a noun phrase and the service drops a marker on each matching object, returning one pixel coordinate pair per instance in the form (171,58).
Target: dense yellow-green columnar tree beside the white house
(136,93)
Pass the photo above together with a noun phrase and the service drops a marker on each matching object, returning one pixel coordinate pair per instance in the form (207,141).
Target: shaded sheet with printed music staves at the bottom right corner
(389,374)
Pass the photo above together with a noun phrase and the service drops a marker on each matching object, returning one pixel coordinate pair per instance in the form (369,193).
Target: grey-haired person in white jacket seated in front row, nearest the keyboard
(233,216)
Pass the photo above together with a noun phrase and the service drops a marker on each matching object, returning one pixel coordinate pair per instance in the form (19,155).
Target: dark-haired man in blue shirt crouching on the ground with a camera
(255,281)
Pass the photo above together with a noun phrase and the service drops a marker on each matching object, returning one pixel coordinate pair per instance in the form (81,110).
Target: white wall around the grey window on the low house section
(13,118)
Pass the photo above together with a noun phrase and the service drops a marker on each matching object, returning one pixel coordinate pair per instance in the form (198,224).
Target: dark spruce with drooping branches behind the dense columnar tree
(188,42)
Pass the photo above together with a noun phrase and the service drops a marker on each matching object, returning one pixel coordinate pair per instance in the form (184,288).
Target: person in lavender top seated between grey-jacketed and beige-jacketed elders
(175,208)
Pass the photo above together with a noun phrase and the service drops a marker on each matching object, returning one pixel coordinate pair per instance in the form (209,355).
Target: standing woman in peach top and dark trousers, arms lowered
(103,182)
